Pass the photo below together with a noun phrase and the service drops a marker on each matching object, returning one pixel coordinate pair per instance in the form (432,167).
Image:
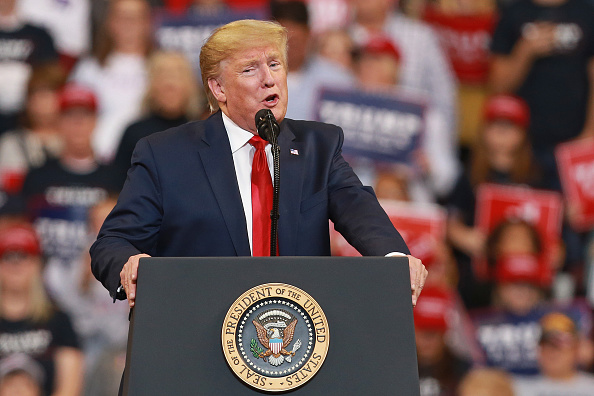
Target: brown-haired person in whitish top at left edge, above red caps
(30,146)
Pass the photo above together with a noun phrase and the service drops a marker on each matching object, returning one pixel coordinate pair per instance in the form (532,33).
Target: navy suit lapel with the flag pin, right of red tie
(291,180)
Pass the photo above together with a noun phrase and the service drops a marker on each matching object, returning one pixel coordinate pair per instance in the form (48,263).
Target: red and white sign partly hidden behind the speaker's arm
(421,226)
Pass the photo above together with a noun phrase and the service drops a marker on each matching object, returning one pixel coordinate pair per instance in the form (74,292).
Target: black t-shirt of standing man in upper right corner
(556,87)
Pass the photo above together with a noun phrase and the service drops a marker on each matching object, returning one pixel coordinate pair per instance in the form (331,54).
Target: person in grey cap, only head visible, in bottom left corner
(20,375)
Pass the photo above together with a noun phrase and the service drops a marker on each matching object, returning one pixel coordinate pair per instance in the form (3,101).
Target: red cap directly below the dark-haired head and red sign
(520,268)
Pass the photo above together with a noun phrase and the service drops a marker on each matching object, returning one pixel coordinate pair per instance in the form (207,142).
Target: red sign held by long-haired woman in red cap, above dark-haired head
(543,209)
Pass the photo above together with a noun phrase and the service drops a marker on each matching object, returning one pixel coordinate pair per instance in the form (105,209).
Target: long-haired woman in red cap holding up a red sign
(502,155)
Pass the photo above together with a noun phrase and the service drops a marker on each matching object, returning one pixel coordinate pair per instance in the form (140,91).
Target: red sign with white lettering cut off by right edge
(576,168)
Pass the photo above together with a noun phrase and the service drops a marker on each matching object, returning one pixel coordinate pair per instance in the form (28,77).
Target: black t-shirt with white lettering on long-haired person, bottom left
(38,340)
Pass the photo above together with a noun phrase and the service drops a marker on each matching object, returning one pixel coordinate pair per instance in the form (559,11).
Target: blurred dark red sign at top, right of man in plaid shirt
(466,39)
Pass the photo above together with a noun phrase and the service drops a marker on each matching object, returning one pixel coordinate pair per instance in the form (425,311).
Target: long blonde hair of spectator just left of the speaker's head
(163,59)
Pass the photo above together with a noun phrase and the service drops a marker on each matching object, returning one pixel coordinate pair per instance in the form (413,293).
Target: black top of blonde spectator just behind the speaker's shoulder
(136,131)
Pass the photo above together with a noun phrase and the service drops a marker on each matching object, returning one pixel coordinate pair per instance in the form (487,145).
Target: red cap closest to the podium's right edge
(433,309)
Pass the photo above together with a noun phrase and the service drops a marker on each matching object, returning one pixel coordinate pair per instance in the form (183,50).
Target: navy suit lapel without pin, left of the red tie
(215,153)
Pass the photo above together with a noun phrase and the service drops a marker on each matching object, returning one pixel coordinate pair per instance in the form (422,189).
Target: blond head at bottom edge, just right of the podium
(487,382)
